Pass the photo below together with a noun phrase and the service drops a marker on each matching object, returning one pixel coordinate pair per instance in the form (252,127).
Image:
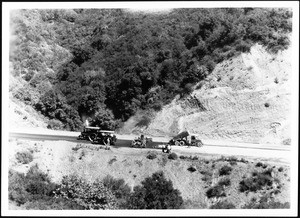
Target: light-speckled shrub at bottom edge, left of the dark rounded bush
(88,195)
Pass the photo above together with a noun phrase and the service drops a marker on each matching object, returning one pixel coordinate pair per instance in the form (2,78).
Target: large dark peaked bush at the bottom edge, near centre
(156,192)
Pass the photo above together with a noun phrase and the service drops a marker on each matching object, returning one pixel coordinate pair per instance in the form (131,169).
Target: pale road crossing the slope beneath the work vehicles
(268,152)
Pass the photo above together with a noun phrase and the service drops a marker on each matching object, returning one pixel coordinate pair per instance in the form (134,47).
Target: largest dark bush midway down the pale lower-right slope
(257,181)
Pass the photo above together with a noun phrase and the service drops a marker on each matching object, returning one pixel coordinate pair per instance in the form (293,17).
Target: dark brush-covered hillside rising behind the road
(107,65)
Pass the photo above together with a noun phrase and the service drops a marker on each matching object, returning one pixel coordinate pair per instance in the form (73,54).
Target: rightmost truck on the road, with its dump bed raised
(182,139)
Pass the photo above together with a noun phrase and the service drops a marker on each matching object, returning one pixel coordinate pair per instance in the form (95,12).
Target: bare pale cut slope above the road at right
(245,99)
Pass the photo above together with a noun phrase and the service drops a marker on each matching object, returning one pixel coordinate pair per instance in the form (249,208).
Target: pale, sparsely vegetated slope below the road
(93,162)
